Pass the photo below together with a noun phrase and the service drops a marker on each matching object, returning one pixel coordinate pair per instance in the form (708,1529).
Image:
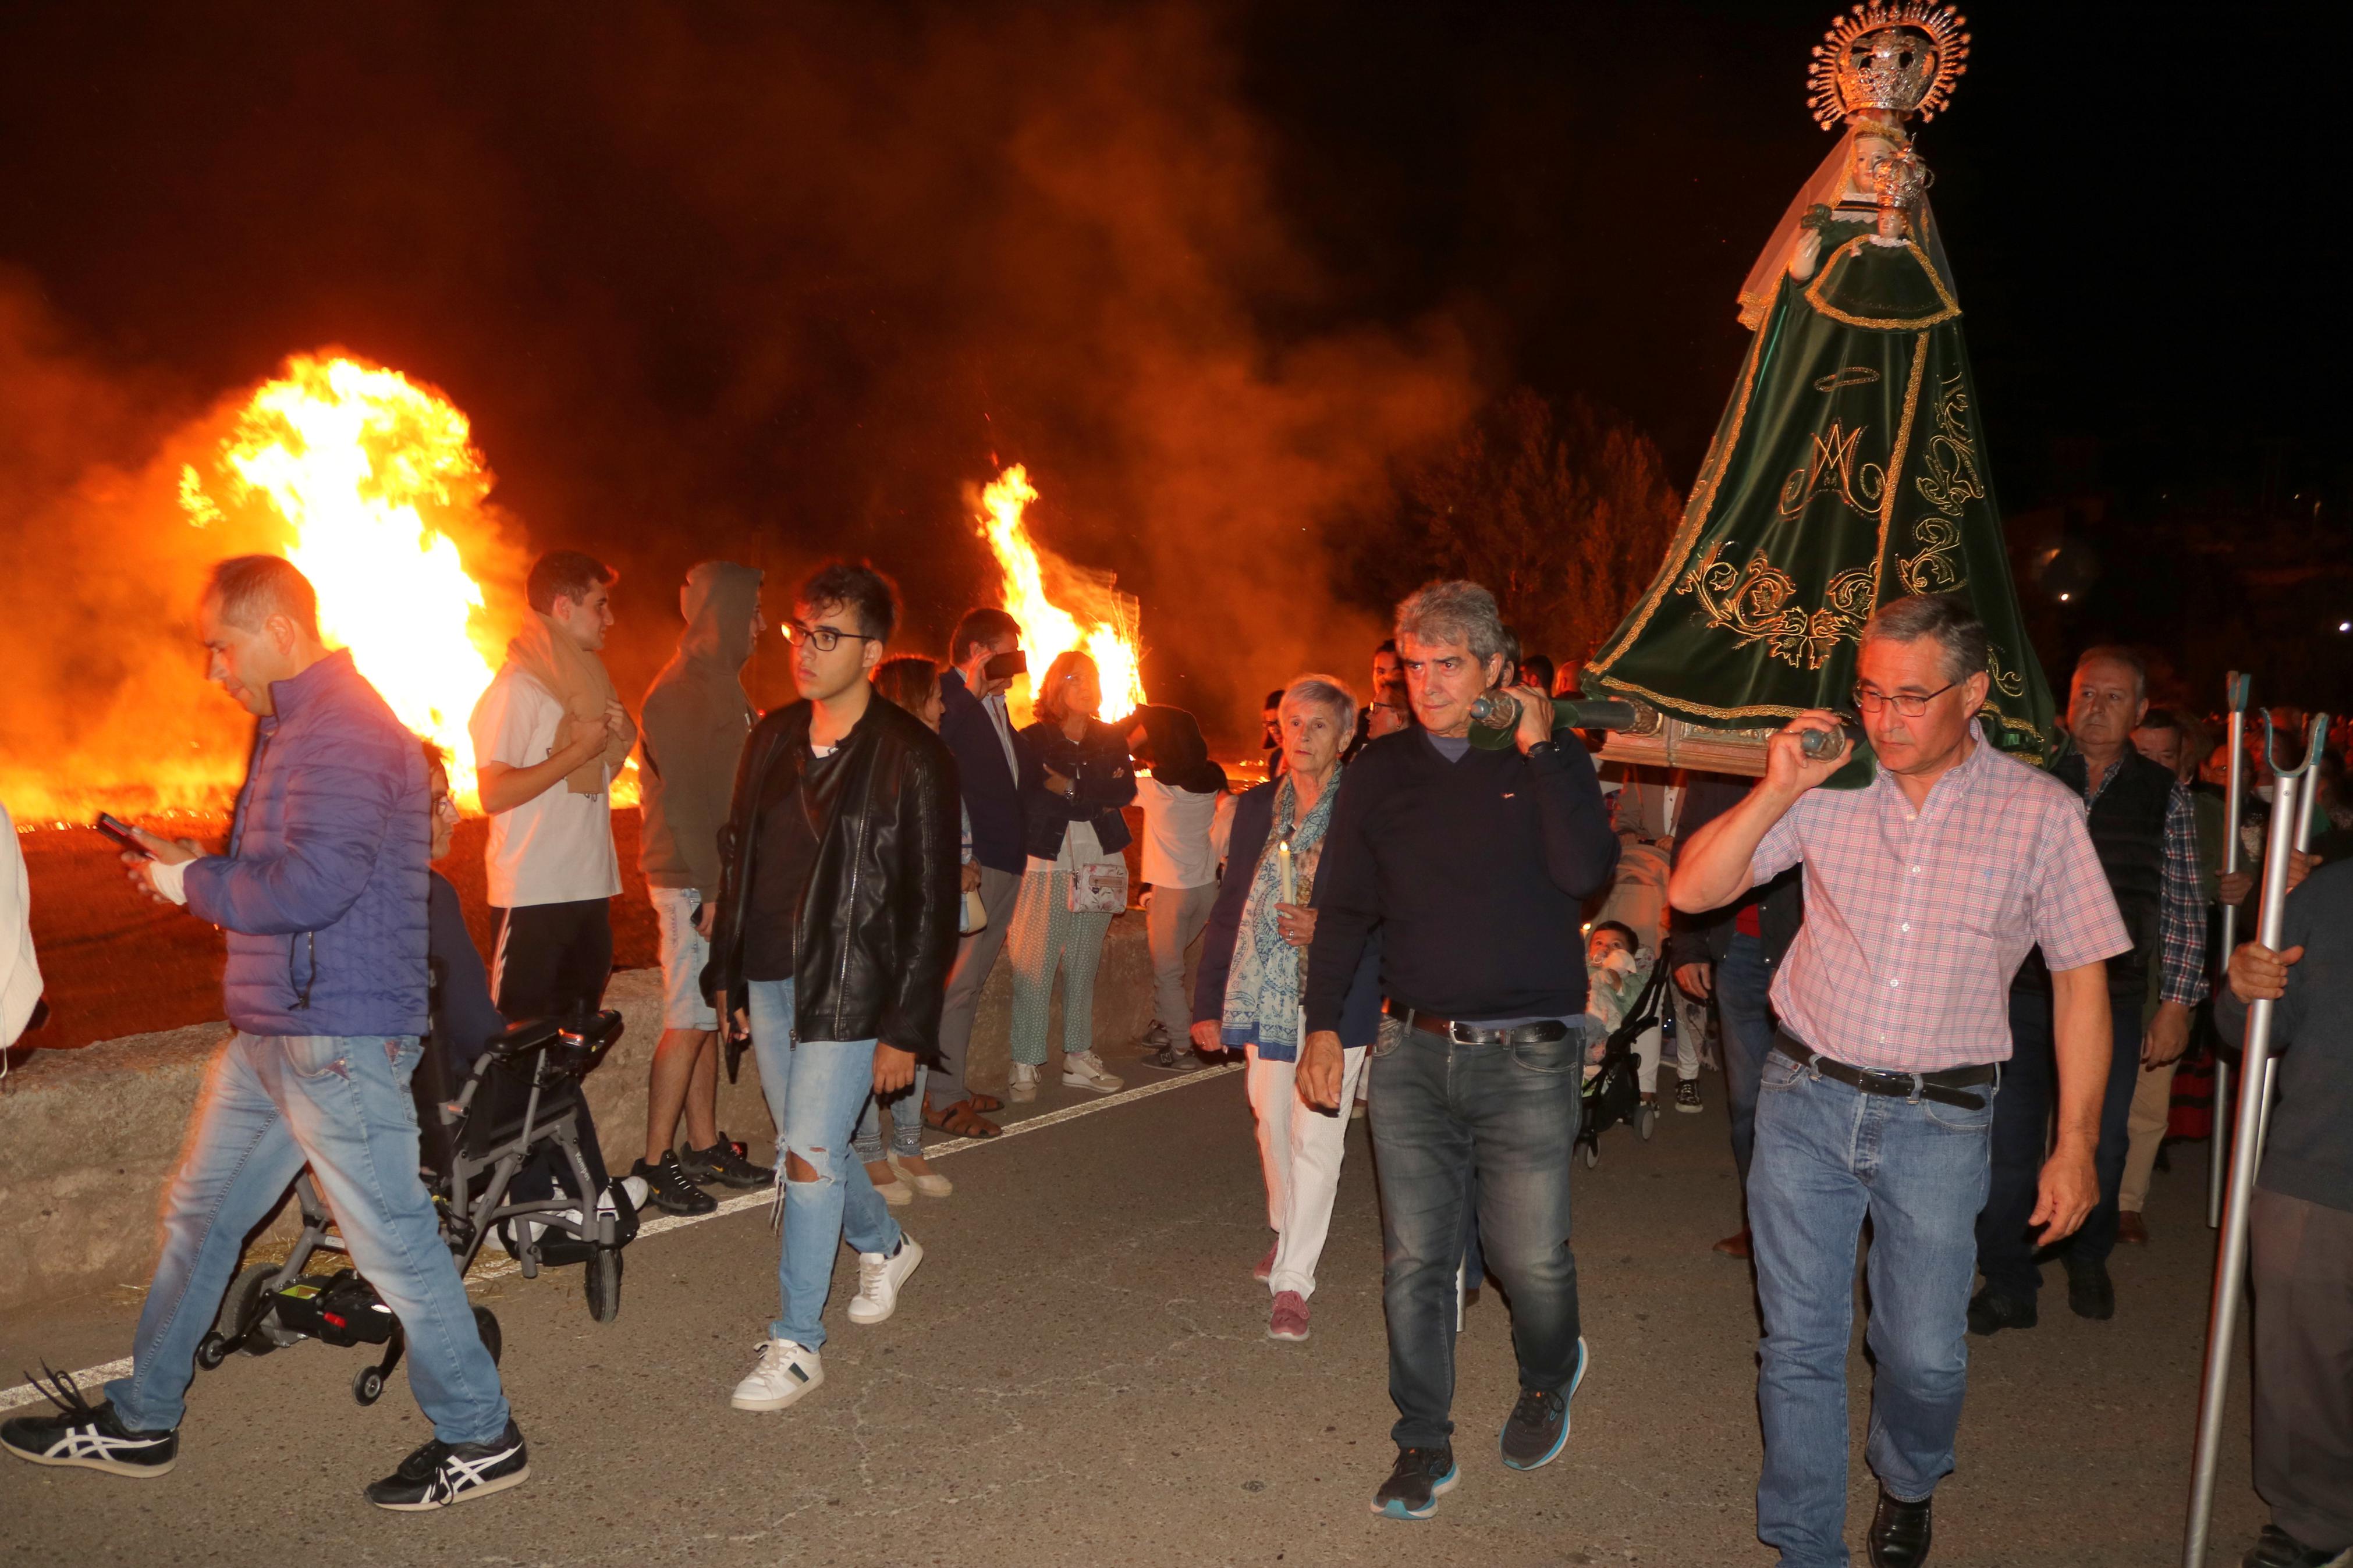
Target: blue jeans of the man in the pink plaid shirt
(1827,1158)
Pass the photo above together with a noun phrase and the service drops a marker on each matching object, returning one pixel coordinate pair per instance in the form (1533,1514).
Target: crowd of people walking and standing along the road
(1949,1003)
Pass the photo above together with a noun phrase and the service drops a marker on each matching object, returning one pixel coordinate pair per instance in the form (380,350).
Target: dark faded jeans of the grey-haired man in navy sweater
(1446,1118)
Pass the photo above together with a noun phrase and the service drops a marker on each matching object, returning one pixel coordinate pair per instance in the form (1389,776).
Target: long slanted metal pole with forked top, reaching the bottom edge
(2232,1266)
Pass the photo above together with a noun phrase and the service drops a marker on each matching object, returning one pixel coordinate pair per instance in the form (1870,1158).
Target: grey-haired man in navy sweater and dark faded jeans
(1474,864)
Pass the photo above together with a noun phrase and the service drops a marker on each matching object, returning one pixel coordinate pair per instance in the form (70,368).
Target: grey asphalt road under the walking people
(1079,1376)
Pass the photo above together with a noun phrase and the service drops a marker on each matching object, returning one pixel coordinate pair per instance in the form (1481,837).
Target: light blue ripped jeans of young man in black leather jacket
(815,1092)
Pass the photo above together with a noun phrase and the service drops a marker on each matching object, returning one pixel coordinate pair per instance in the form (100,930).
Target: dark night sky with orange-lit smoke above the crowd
(785,281)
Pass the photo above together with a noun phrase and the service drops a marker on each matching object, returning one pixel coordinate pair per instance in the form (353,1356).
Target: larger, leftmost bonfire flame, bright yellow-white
(368,471)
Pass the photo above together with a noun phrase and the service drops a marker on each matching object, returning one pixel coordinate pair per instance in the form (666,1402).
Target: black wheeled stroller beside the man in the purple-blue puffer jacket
(519,1104)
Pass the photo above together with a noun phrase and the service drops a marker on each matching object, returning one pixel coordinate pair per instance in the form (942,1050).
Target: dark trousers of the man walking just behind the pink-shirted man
(2006,1247)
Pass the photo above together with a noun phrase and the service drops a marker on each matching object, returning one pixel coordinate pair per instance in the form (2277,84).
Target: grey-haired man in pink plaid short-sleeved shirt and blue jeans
(1924,892)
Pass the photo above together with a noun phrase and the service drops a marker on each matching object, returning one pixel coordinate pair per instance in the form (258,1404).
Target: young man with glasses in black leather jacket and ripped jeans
(832,946)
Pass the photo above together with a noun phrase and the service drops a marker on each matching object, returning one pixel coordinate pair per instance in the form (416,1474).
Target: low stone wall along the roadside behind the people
(91,1137)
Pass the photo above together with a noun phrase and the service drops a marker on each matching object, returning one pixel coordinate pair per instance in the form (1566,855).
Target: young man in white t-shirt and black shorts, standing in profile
(552,859)
